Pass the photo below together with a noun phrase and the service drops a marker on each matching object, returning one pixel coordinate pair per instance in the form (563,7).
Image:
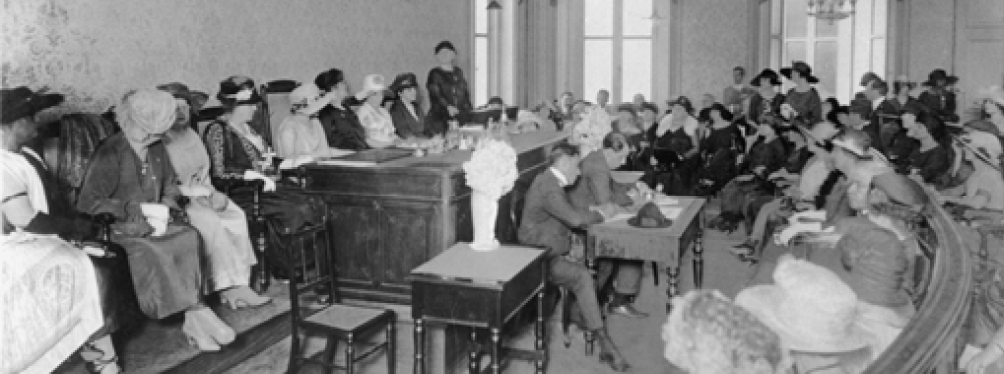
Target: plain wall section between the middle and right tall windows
(714,42)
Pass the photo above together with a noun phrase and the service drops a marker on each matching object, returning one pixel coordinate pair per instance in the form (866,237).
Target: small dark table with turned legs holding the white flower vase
(482,290)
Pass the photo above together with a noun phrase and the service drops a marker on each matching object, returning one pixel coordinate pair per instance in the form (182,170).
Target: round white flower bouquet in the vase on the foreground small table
(492,168)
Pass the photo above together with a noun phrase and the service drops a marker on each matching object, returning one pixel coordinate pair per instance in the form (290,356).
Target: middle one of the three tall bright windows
(619,49)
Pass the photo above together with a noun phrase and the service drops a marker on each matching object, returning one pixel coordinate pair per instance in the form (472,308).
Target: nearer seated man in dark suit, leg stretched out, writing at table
(549,218)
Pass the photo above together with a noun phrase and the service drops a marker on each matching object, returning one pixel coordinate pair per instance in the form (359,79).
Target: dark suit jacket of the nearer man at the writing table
(549,216)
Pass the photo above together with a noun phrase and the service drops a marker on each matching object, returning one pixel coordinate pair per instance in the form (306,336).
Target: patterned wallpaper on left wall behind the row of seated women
(96,51)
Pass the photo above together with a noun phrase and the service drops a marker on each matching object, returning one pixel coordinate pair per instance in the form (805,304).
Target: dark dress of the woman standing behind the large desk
(446,89)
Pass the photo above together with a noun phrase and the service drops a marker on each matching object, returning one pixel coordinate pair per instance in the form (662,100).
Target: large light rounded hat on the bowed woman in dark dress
(151,110)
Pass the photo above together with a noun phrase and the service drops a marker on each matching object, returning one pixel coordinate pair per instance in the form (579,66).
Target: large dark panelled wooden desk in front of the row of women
(389,219)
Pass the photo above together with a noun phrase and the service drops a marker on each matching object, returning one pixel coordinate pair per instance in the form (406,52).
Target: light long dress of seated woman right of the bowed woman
(229,253)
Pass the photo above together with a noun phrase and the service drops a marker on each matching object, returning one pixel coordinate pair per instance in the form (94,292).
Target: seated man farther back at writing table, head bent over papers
(596,188)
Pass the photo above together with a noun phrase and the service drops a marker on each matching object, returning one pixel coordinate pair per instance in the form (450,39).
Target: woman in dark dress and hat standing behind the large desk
(448,93)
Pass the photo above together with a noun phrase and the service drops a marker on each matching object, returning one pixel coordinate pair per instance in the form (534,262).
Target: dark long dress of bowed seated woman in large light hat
(167,271)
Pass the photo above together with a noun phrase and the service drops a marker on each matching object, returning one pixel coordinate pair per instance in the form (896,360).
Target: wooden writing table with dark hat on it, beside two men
(618,240)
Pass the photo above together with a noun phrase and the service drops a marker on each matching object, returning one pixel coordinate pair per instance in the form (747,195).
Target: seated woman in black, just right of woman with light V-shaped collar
(721,150)
